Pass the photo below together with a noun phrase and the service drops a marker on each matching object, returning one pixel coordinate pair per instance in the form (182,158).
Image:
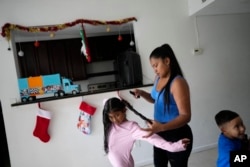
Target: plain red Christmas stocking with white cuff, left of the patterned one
(42,123)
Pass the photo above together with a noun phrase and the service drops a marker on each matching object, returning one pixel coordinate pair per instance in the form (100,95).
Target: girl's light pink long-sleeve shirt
(122,138)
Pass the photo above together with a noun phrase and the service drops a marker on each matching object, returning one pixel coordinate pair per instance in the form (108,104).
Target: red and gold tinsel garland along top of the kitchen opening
(6,28)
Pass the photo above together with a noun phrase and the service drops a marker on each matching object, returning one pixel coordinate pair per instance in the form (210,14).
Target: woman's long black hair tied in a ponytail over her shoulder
(165,51)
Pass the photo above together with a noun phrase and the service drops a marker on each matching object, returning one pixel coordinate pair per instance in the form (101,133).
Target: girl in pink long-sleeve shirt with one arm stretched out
(120,135)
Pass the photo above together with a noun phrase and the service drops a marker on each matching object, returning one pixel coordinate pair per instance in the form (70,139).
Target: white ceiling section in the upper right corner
(226,7)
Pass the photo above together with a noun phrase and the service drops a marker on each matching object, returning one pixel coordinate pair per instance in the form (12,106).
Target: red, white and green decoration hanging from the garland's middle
(85,48)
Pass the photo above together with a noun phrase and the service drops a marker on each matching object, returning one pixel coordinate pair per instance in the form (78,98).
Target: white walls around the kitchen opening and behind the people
(219,78)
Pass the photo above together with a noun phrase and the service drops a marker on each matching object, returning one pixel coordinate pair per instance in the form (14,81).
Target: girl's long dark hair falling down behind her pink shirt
(112,104)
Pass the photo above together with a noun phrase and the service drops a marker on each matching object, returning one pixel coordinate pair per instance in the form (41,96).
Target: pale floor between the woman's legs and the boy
(201,159)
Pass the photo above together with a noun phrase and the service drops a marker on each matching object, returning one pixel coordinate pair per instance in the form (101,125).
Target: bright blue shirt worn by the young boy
(225,145)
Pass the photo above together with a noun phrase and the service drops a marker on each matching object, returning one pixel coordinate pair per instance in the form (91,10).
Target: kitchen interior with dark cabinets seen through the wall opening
(60,52)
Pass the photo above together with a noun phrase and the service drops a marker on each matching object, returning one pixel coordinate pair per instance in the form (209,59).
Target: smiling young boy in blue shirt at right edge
(232,137)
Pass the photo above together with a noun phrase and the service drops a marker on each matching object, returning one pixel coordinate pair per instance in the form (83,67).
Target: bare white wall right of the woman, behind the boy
(222,77)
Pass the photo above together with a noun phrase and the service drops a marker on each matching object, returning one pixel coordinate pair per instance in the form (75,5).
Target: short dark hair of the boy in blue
(225,116)
